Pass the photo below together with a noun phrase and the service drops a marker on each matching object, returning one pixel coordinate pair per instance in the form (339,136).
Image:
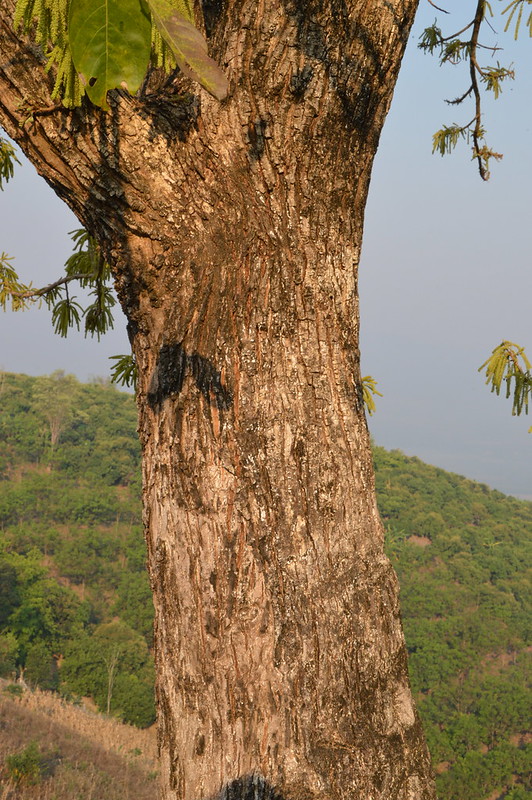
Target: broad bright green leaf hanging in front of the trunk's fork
(110,41)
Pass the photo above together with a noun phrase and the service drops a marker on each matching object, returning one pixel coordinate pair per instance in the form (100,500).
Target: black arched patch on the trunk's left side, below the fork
(173,364)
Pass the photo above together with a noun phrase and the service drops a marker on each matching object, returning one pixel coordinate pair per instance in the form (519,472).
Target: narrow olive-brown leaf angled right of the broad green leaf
(188,46)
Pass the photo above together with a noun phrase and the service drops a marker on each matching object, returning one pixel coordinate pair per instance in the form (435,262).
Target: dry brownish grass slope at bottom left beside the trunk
(89,756)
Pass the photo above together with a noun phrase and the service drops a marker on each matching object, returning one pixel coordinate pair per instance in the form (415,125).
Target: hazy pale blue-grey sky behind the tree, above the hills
(445,276)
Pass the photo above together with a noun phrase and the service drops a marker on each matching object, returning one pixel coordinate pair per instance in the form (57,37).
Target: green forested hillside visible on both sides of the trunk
(75,608)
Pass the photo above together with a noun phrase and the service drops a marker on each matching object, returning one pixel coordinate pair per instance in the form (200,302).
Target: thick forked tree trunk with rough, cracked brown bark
(234,233)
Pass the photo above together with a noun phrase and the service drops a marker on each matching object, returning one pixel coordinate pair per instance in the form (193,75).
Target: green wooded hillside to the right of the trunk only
(462,554)
